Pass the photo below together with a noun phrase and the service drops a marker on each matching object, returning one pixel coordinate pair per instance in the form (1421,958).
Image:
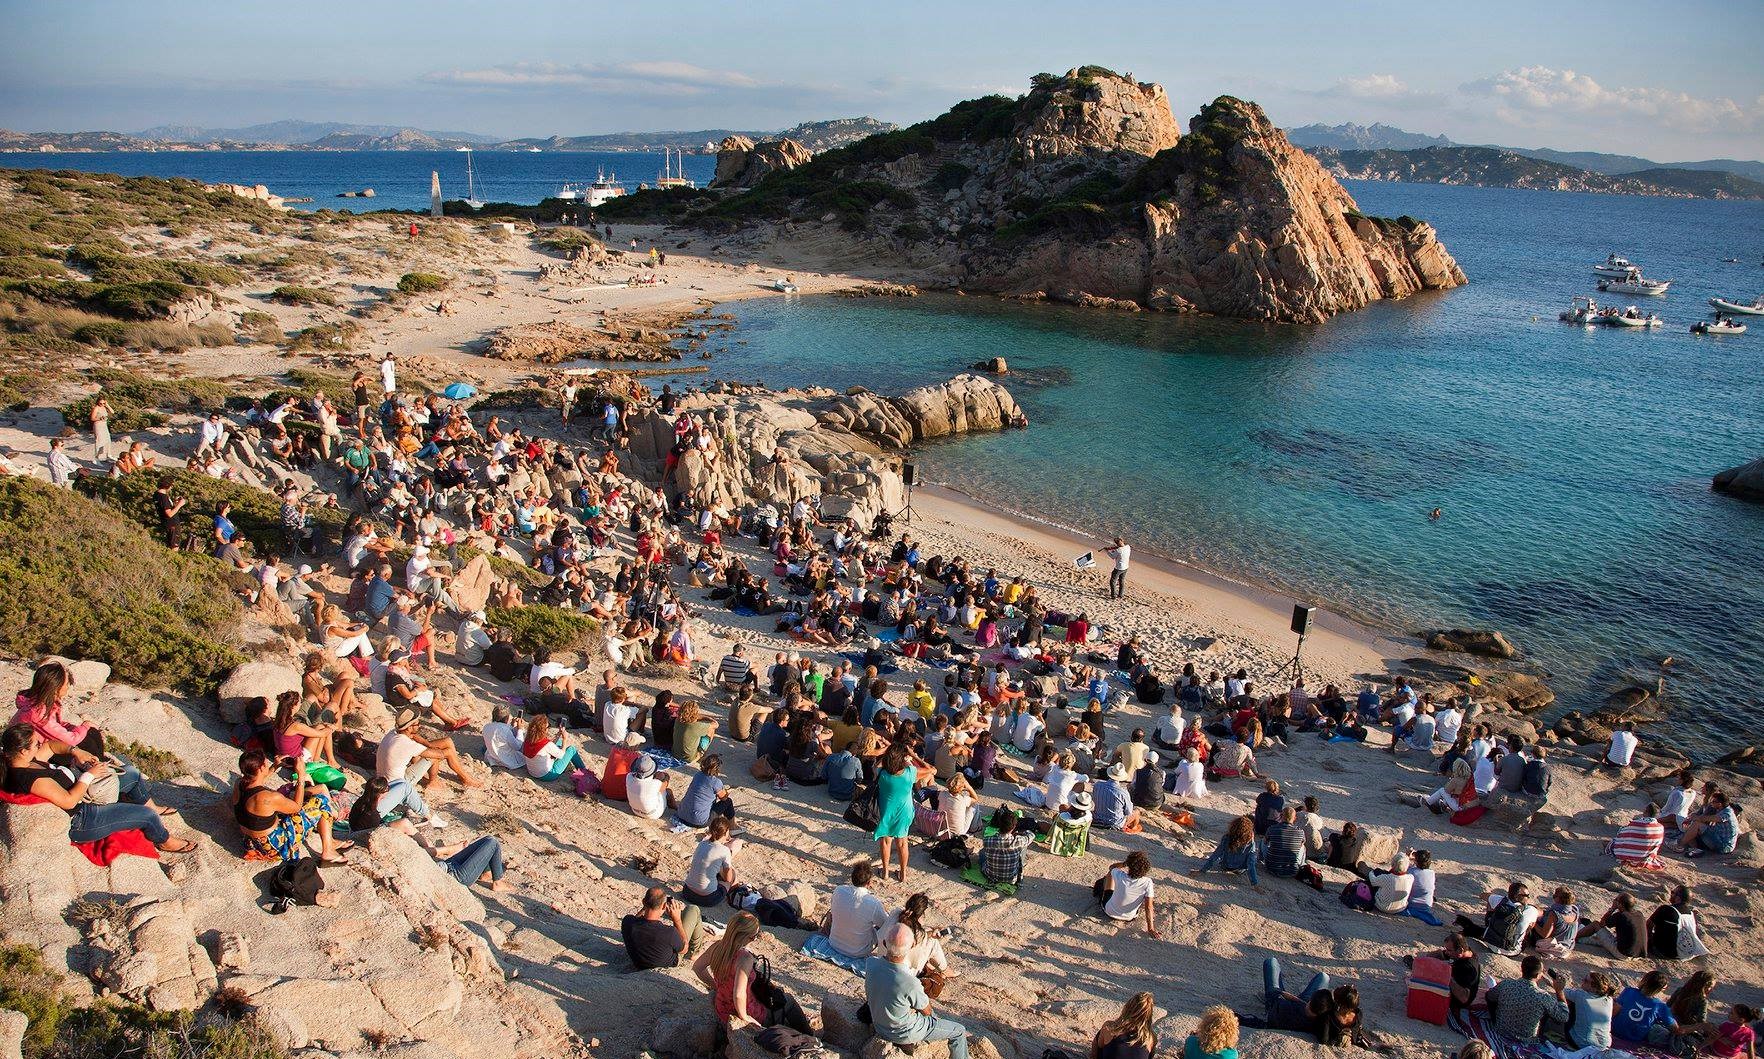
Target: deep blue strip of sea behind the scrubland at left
(400,179)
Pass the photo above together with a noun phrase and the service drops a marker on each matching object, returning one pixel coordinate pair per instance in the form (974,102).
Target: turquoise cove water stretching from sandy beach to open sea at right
(1573,467)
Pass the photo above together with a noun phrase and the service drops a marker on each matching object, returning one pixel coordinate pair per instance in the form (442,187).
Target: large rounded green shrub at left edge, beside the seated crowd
(87,585)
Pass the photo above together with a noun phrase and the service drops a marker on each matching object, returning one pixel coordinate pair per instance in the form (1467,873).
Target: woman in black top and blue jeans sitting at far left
(29,769)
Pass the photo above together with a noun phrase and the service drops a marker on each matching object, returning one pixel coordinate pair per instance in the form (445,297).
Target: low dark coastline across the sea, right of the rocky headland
(1491,167)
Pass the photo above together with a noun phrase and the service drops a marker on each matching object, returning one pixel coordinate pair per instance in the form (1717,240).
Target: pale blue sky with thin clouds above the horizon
(1671,82)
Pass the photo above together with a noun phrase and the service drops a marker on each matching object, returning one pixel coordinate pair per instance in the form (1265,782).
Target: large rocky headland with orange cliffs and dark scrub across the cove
(1088,192)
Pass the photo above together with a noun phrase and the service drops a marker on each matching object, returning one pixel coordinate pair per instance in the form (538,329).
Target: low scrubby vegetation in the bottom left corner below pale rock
(64,1026)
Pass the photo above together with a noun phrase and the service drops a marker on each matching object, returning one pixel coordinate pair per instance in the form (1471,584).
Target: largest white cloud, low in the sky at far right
(1537,96)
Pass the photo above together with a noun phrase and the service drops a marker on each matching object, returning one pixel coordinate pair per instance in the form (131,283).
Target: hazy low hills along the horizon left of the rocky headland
(294,135)
